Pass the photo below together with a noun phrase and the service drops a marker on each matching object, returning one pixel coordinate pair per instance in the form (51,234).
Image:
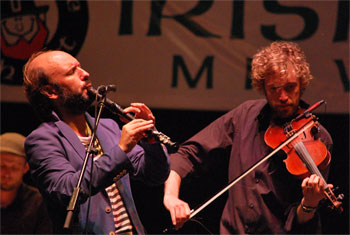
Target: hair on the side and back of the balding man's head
(35,81)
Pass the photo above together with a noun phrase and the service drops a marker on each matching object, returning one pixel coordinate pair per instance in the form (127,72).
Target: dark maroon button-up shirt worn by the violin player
(264,201)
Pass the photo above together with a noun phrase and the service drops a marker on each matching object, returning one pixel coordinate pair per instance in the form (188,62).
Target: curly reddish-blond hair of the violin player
(274,59)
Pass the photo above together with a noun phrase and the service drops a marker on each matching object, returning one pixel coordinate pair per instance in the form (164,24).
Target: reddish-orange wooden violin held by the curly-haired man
(306,154)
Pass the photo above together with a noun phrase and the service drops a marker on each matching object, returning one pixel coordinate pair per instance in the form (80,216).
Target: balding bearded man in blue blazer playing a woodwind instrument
(57,87)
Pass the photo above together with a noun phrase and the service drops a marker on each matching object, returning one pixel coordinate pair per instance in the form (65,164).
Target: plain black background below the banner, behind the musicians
(182,124)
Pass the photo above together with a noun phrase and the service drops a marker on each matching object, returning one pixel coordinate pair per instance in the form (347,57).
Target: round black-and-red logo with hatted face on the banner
(30,26)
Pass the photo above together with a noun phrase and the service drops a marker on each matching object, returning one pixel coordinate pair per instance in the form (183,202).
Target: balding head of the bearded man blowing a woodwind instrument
(51,78)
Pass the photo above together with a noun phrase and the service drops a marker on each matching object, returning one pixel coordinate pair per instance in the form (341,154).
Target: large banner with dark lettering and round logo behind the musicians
(179,54)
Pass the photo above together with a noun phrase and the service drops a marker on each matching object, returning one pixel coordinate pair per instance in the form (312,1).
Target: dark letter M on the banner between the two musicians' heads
(192,82)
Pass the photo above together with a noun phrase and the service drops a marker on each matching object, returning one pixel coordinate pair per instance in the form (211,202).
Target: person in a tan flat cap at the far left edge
(22,207)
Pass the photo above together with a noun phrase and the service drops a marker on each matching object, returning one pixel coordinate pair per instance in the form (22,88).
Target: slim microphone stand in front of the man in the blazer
(90,151)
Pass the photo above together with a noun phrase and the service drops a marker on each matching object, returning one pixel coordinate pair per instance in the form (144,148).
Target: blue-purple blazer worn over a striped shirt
(55,155)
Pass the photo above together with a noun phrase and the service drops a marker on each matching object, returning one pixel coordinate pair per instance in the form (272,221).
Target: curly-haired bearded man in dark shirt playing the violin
(269,199)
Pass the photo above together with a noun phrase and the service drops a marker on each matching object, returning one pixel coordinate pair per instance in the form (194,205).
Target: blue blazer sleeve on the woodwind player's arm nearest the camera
(56,165)
